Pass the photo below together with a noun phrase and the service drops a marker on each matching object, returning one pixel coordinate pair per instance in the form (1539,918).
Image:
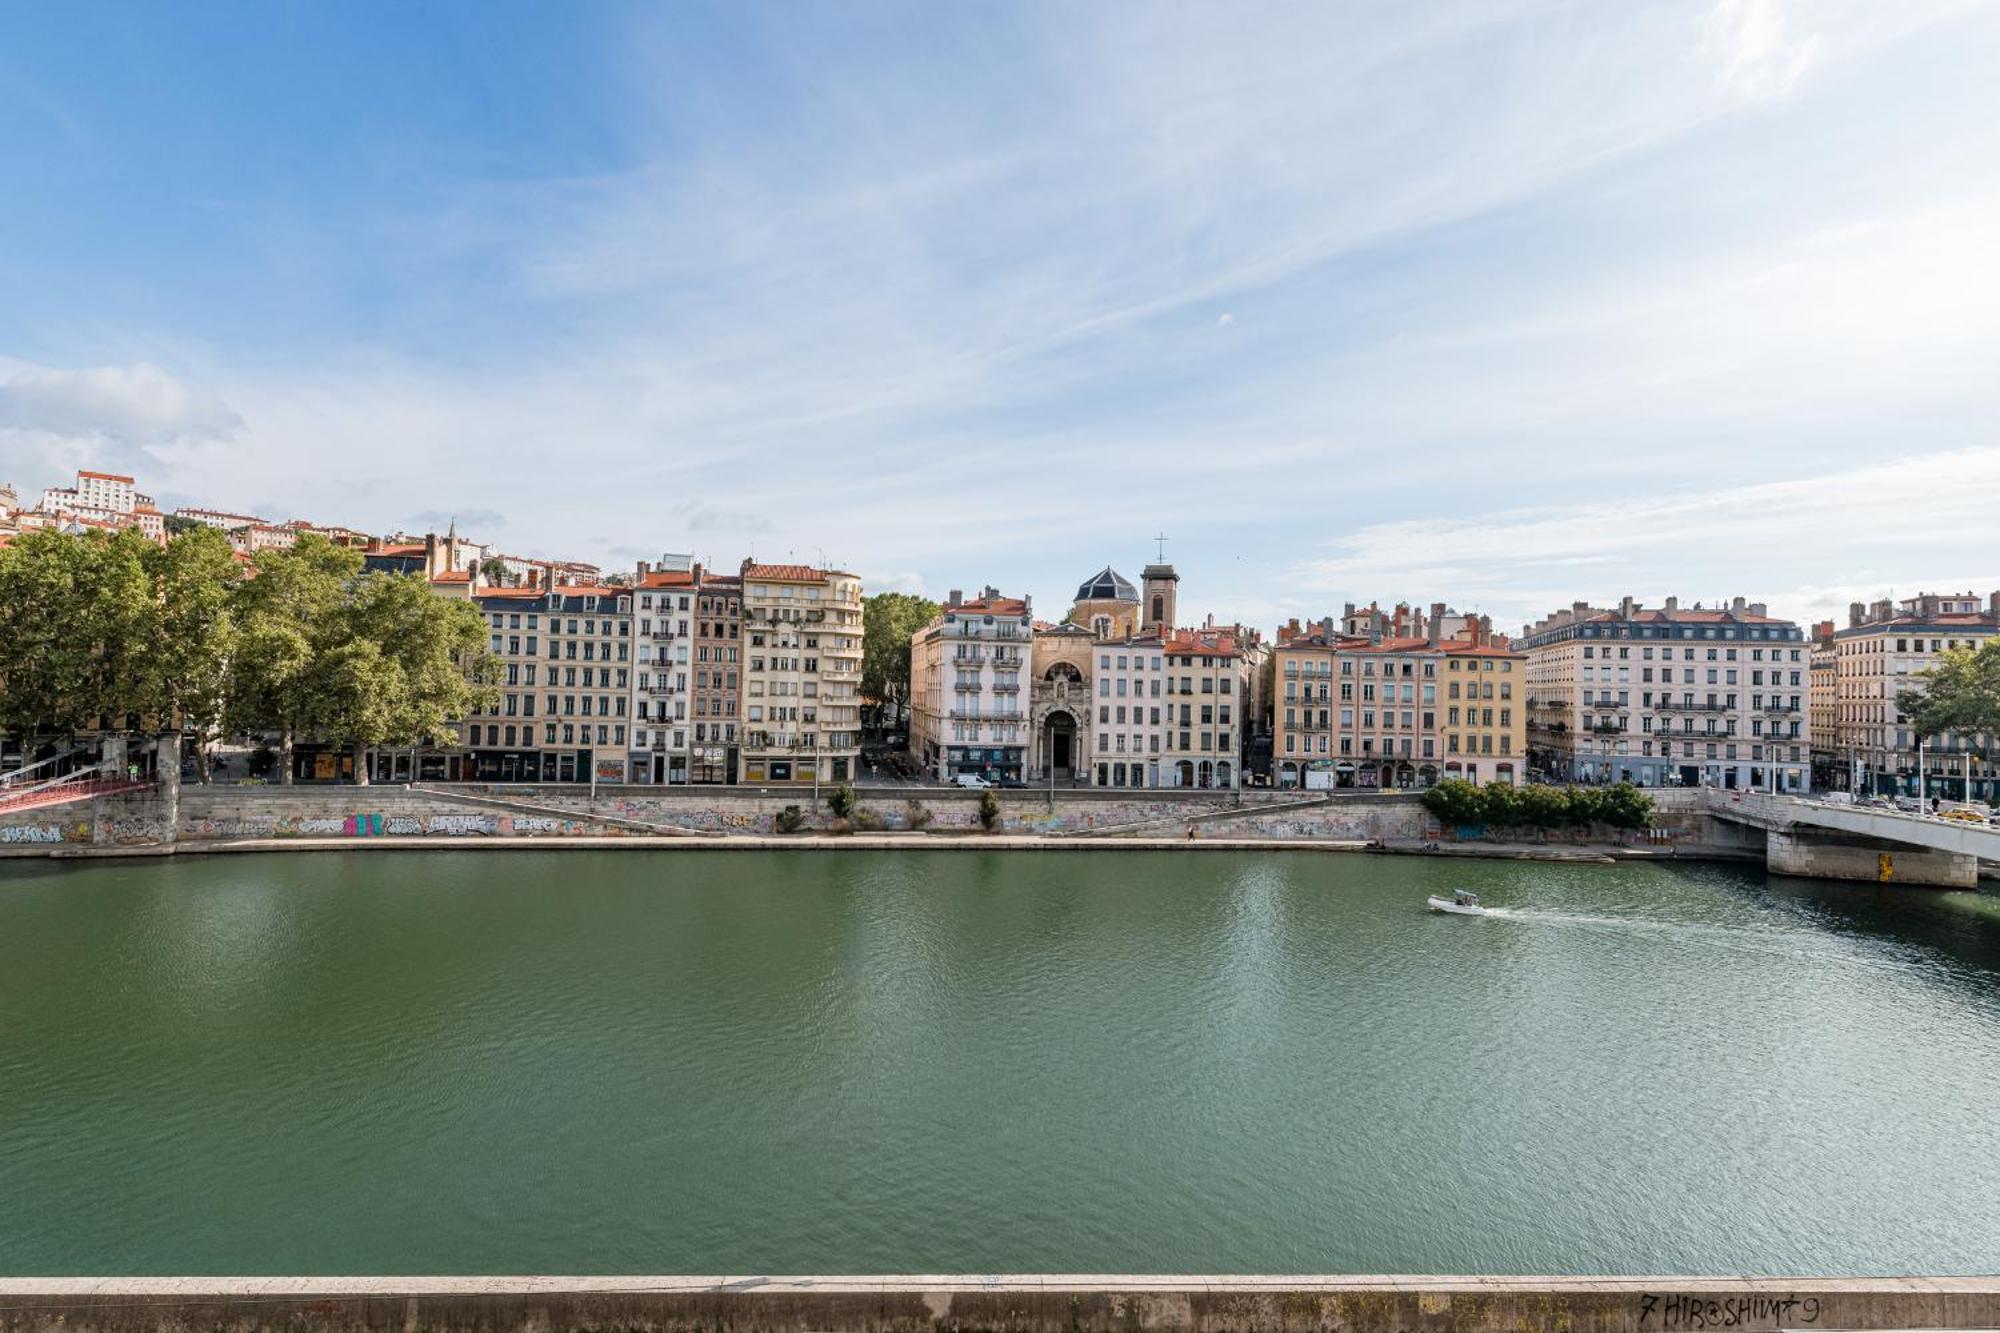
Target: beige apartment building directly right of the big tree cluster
(565,686)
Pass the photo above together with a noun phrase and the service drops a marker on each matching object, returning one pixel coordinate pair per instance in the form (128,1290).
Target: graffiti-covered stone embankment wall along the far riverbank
(207,818)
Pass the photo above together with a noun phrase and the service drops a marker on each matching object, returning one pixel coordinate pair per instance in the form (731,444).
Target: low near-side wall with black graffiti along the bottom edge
(1013,1304)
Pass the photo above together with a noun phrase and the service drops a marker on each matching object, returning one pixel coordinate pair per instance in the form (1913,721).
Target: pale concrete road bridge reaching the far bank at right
(1823,840)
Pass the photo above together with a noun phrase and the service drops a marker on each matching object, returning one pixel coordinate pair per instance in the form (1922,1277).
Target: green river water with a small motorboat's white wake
(989,1062)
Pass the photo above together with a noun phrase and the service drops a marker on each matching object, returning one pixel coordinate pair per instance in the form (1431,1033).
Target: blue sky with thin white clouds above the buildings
(1503,303)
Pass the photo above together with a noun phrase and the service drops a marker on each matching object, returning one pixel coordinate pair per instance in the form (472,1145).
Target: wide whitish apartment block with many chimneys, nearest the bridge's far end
(1669,698)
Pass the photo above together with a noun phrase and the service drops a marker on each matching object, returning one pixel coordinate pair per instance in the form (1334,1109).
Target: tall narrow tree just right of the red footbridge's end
(195,581)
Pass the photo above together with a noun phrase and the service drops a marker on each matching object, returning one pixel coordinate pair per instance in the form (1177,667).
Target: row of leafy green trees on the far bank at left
(109,627)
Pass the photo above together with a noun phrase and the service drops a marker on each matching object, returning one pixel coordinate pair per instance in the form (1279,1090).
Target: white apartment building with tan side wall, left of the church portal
(969,674)
